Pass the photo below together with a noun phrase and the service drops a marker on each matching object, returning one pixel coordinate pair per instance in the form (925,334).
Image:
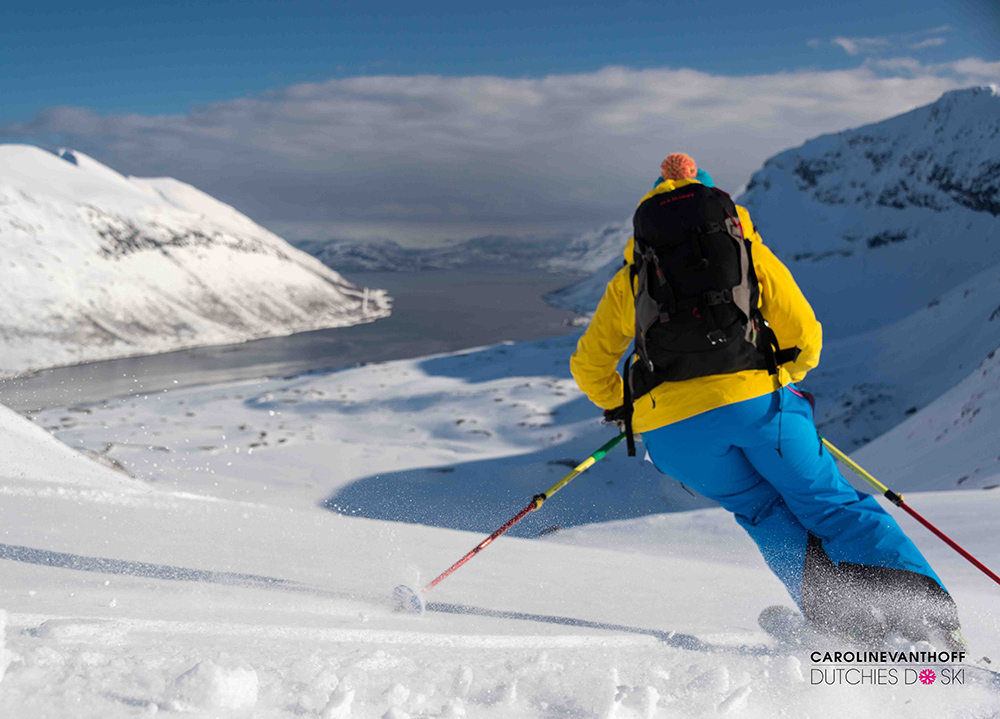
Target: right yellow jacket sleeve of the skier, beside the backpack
(786,310)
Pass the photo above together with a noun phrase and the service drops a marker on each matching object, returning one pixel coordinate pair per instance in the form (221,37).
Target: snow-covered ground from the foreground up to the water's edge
(117,587)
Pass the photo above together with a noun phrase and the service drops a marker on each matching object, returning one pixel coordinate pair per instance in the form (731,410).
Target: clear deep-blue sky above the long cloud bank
(167,56)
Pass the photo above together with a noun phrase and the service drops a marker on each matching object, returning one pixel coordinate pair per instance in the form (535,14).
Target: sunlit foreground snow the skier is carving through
(233,642)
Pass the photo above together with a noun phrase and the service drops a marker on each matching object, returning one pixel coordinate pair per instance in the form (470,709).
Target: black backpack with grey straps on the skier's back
(696,295)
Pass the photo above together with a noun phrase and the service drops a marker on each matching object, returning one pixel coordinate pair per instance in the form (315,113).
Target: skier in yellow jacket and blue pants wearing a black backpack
(722,333)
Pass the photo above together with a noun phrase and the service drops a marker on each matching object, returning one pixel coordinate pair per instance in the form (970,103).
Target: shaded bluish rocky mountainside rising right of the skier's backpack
(873,222)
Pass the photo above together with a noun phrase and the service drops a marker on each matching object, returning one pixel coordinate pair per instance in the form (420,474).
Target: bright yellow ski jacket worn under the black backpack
(612,329)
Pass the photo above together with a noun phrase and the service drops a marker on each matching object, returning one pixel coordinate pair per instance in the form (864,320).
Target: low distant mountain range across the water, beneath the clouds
(555,254)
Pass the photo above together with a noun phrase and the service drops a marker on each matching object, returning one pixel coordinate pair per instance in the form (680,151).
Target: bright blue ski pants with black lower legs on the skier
(762,459)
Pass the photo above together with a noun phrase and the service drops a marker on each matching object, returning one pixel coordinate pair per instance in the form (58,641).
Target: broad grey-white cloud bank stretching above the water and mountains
(424,158)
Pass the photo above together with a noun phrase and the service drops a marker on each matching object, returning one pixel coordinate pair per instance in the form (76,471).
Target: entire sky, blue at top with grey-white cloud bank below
(299,91)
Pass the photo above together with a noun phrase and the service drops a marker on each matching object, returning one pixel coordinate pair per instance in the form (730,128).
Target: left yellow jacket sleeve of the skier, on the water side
(594,364)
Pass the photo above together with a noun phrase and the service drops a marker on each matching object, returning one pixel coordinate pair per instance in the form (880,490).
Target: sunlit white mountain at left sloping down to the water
(99,265)
